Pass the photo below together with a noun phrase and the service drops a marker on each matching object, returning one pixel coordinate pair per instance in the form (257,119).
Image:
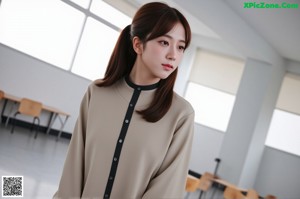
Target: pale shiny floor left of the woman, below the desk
(39,161)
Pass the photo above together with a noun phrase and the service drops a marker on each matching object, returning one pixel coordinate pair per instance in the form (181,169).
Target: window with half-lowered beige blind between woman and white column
(213,83)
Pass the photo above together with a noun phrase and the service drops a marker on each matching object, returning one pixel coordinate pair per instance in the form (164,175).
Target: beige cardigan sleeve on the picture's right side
(170,180)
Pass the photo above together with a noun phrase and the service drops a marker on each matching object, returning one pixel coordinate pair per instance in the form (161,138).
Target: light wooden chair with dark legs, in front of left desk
(30,108)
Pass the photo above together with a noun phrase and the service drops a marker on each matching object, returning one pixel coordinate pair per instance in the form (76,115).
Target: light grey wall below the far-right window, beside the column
(279,174)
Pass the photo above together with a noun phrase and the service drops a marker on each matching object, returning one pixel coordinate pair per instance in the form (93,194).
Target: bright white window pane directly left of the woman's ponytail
(96,45)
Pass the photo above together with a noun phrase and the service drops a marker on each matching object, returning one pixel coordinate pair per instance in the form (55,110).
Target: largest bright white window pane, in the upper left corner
(38,28)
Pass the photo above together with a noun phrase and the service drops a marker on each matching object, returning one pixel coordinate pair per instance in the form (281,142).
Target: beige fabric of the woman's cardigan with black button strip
(154,159)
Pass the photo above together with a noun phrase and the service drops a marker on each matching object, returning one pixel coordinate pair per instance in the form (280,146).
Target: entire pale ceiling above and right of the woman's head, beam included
(226,26)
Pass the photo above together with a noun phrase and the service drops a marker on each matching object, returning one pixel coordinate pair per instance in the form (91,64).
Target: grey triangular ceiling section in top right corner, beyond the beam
(279,27)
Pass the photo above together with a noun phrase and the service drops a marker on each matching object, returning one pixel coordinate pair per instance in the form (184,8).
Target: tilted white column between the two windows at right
(243,142)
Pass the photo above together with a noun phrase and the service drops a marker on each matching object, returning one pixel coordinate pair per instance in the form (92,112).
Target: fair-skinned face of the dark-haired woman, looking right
(161,56)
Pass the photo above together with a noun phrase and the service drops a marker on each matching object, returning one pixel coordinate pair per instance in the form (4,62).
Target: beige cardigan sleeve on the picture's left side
(71,182)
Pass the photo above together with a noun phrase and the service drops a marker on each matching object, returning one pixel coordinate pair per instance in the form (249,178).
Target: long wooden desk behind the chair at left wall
(55,113)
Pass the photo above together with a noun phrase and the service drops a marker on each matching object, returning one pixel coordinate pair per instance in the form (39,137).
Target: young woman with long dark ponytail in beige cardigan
(133,136)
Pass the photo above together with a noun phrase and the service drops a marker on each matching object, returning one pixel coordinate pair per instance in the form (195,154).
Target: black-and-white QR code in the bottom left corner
(12,186)
